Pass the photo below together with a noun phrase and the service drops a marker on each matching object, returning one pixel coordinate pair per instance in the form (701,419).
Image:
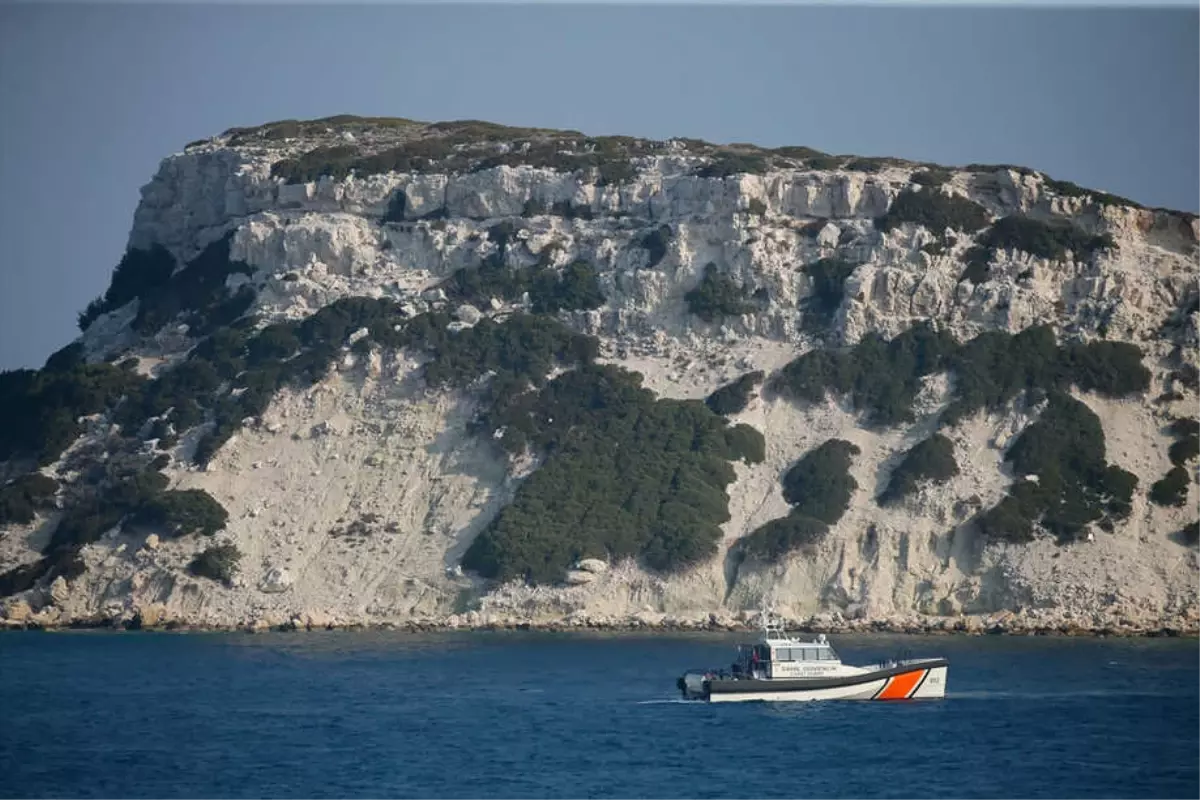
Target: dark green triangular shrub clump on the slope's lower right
(1075,488)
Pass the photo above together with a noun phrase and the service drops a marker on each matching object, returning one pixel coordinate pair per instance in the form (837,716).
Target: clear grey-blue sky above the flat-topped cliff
(94,97)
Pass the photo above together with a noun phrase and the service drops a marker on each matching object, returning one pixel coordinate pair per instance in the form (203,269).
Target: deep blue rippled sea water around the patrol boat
(508,715)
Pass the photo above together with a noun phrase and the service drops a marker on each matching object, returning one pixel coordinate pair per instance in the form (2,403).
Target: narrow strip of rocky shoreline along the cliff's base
(1001,624)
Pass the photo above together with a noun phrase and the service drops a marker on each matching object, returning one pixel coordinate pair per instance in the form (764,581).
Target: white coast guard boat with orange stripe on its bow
(782,667)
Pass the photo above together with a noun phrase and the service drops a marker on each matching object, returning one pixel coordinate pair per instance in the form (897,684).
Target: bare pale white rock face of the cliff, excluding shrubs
(370,448)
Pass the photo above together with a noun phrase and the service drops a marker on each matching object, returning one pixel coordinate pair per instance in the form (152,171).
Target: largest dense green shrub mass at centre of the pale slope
(625,476)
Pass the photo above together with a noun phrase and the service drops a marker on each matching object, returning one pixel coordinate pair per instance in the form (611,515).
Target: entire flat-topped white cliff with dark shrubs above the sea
(353,495)
